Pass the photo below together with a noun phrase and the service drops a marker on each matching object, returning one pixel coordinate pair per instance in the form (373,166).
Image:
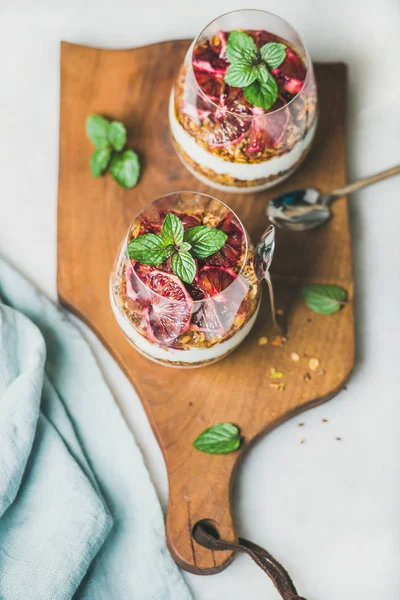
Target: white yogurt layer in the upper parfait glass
(243,172)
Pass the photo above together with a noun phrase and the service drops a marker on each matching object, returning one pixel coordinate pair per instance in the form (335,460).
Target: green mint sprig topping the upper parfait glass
(249,68)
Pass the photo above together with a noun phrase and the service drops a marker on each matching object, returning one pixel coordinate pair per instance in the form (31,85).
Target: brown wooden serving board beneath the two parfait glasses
(93,217)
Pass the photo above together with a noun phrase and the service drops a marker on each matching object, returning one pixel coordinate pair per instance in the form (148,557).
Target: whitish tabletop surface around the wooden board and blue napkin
(329,510)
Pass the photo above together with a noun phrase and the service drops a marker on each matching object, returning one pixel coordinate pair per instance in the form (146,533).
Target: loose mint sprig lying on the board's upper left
(110,139)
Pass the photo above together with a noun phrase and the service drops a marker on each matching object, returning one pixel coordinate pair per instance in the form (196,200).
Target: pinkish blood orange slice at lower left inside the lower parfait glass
(170,308)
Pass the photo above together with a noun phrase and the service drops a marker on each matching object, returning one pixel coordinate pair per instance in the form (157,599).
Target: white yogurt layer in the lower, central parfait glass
(189,356)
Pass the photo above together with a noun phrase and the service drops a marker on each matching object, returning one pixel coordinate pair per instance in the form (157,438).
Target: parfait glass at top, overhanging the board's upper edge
(243,110)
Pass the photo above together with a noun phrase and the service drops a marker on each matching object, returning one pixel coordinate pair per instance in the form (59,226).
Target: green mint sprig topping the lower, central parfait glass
(182,246)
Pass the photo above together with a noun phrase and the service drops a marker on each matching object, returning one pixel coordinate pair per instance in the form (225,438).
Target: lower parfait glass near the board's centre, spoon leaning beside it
(180,310)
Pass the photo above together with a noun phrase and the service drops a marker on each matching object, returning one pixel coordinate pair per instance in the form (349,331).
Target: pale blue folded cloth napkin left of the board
(79,517)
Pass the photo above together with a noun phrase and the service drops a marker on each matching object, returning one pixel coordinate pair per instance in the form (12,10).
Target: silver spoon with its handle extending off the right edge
(300,210)
